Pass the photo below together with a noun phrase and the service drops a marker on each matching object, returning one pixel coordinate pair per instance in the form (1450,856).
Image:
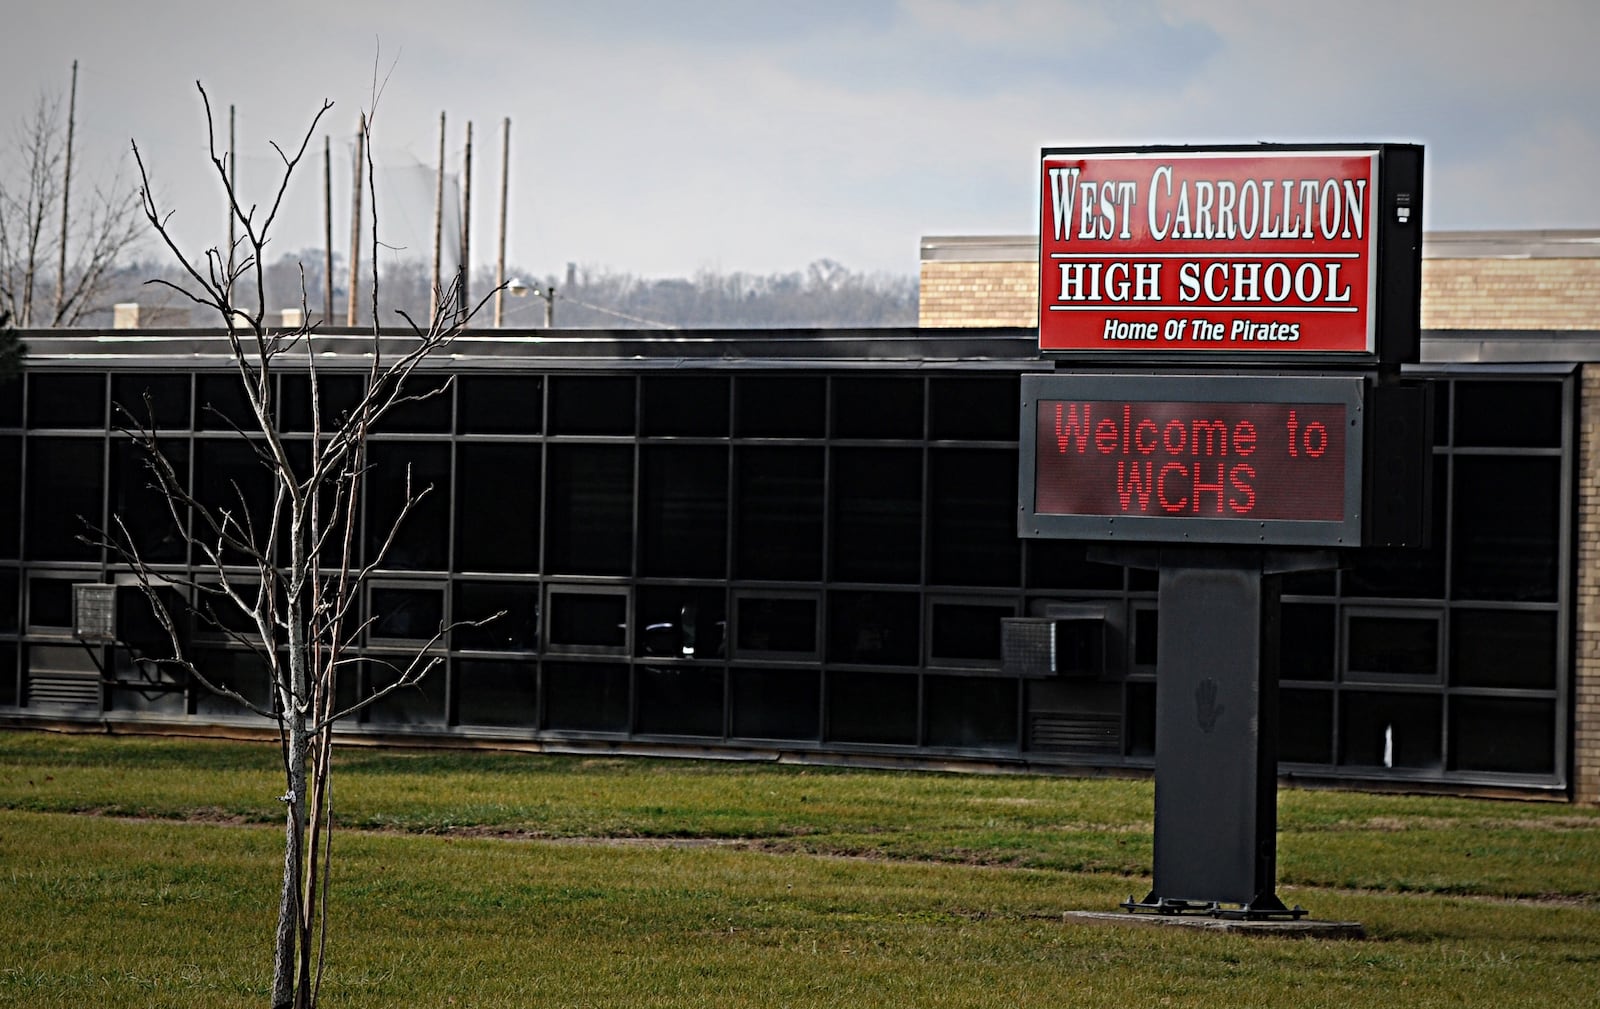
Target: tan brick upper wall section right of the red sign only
(1511,293)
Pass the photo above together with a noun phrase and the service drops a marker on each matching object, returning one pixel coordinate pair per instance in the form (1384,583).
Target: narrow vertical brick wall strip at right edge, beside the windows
(1586,688)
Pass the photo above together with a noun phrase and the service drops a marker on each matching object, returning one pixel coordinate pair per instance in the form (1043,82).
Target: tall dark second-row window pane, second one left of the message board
(878,516)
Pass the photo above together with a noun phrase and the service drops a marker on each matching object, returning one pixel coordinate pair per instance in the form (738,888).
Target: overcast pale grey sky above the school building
(662,138)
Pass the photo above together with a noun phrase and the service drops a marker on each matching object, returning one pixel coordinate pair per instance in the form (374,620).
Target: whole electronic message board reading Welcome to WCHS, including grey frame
(1209,460)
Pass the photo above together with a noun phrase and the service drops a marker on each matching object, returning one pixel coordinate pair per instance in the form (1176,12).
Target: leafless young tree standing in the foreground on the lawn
(282,572)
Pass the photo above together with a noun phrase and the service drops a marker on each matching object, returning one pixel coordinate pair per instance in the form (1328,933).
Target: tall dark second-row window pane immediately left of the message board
(974,516)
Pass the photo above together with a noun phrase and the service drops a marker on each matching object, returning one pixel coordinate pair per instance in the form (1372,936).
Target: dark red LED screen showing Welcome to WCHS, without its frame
(1222,461)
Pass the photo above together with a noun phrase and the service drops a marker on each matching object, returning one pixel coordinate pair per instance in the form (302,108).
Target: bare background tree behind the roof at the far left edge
(38,285)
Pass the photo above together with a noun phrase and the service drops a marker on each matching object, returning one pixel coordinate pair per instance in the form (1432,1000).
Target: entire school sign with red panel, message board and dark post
(1228,329)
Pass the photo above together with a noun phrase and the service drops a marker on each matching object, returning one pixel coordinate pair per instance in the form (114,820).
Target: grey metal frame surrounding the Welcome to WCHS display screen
(1281,389)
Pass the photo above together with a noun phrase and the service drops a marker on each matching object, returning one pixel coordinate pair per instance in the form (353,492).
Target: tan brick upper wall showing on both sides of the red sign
(1457,293)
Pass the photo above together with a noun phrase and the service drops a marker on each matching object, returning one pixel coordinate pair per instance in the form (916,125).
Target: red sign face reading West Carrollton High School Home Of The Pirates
(1209,252)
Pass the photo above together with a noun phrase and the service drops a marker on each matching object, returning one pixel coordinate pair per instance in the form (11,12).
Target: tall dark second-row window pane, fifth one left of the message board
(590,509)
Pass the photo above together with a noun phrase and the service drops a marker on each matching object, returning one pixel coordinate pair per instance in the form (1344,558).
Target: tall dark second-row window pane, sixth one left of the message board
(497,508)
